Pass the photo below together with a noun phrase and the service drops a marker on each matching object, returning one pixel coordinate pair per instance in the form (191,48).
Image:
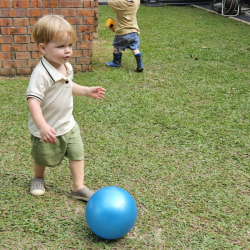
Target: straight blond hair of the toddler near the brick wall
(52,27)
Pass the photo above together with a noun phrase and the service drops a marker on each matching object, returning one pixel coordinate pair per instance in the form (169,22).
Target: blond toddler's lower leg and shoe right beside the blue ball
(79,190)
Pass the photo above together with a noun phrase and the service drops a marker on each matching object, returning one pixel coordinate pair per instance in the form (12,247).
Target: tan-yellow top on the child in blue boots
(125,16)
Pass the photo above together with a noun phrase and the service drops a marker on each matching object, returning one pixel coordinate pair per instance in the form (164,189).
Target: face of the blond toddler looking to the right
(56,52)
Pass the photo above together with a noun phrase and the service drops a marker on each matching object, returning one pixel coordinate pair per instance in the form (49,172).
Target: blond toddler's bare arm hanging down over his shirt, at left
(47,133)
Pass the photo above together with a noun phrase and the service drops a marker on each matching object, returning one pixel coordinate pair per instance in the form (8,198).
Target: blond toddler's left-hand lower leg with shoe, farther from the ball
(37,184)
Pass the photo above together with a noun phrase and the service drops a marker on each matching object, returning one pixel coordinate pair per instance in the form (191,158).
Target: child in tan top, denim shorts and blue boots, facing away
(126,31)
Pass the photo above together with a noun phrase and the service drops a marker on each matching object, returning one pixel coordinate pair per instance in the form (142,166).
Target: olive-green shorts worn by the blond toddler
(52,154)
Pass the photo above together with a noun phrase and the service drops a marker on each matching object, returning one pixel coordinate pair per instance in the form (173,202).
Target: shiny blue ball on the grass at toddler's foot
(111,212)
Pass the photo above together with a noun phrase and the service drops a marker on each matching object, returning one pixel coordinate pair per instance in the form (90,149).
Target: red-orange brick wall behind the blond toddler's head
(18,51)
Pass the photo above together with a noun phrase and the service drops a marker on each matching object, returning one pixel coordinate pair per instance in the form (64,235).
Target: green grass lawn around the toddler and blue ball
(175,136)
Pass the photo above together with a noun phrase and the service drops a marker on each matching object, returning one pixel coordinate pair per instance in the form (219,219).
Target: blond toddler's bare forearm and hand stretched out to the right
(95,92)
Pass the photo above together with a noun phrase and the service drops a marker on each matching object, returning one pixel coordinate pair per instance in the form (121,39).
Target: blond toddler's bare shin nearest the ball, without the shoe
(77,171)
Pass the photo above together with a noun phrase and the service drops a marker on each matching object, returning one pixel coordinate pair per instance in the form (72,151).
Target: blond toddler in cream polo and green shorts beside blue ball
(54,132)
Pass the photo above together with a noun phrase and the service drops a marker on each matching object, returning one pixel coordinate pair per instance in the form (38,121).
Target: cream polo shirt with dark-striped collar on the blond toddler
(54,91)
